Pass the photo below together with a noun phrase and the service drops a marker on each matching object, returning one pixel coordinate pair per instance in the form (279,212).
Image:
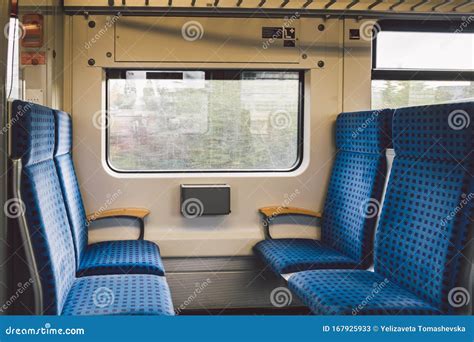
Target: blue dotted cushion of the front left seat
(117,294)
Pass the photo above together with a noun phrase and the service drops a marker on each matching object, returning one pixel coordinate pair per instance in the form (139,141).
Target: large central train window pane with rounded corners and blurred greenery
(203,120)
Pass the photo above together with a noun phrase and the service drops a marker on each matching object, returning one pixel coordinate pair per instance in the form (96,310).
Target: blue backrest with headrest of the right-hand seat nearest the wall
(357,183)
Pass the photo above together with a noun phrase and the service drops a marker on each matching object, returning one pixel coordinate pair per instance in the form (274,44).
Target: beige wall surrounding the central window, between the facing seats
(238,232)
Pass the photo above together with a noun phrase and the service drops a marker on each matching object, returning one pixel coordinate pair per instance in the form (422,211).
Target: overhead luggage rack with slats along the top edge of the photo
(345,8)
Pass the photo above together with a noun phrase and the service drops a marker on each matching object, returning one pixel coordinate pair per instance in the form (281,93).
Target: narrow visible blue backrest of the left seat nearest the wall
(69,184)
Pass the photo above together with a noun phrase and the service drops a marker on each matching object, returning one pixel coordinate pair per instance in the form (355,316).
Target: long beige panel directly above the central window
(219,40)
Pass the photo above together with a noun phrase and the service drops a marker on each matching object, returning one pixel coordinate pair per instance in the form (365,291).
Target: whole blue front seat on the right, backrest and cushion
(424,227)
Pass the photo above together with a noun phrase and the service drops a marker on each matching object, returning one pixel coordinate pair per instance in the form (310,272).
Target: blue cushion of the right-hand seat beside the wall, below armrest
(294,255)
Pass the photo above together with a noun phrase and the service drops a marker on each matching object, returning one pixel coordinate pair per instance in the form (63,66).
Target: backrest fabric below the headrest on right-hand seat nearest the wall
(348,224)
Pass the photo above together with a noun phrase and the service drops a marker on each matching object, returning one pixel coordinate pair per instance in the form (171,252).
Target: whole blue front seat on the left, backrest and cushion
(47,236)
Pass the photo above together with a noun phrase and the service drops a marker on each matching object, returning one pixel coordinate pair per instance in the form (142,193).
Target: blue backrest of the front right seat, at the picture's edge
(428,207)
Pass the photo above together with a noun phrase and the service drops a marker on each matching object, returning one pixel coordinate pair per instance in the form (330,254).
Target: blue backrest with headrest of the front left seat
(39,191)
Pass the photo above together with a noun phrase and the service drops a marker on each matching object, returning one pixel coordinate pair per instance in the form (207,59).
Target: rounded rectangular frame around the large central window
(300,125)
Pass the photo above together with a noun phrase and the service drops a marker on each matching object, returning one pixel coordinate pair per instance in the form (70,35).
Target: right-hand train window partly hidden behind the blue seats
(422,63)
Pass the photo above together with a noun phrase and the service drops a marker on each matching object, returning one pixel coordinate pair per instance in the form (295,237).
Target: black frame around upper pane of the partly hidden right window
(418,74)
